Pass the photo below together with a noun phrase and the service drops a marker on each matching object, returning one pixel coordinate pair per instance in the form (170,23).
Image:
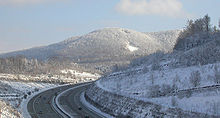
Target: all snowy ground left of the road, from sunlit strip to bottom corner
(16,90)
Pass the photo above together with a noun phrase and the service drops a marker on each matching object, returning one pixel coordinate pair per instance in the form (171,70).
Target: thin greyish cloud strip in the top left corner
(24,2)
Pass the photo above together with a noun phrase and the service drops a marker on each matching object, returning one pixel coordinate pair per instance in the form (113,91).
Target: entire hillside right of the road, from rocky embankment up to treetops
(184,82)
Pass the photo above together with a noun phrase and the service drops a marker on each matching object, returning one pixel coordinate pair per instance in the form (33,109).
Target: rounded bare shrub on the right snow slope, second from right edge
(195,78)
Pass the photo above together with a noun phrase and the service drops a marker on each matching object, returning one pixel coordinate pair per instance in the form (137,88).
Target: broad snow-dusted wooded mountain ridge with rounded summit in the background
(104,45)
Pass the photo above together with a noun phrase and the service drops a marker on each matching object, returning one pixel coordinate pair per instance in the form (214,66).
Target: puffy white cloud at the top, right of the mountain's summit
(172,8)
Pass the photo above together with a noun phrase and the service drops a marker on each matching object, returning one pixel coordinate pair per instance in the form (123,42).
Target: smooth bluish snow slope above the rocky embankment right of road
(138,85)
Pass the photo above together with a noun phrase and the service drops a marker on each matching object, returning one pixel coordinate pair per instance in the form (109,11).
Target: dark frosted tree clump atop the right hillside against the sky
(196,32)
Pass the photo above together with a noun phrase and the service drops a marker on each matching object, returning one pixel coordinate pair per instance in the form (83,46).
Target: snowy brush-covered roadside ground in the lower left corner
(14,95)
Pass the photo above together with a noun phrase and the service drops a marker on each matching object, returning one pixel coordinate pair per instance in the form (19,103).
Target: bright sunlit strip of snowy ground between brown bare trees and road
(67,76)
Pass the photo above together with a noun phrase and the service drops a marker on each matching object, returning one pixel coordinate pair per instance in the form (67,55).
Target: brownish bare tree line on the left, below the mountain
(22,65)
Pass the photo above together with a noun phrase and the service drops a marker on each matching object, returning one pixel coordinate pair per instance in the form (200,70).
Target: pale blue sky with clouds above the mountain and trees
(30,23)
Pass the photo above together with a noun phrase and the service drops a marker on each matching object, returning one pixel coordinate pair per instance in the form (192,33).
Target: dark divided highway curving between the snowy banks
(44,105)
